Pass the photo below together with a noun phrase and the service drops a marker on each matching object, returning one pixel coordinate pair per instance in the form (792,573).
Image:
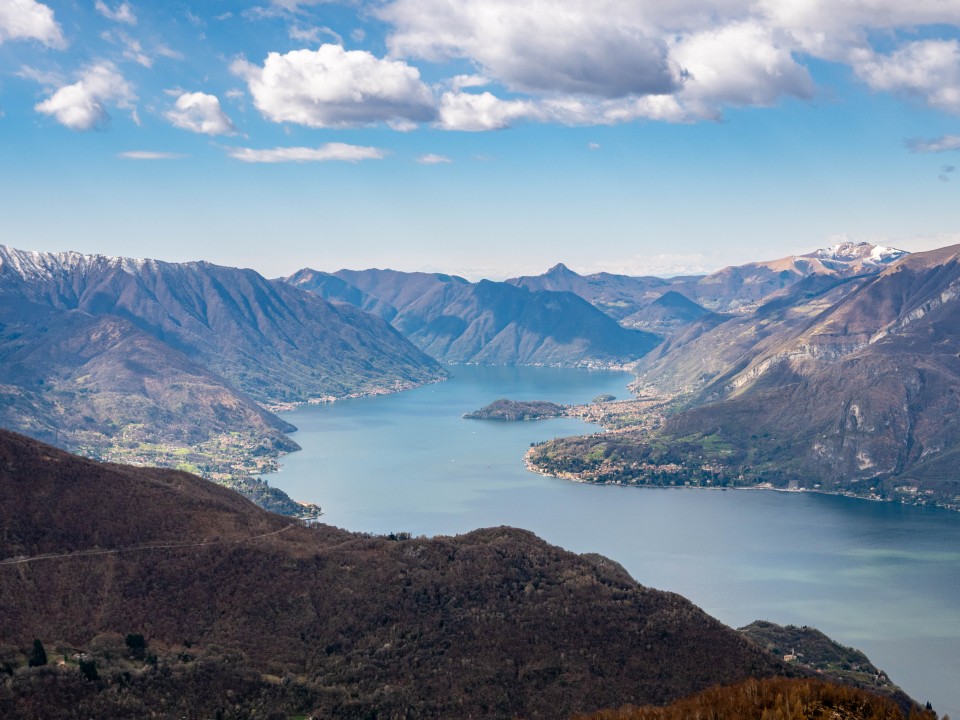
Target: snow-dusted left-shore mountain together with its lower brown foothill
(97,350)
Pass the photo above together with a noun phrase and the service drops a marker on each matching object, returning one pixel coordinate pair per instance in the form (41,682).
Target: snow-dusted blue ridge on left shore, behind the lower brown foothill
(267,339)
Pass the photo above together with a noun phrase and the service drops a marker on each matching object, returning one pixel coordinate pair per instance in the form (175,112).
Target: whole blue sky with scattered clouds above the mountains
(482,137)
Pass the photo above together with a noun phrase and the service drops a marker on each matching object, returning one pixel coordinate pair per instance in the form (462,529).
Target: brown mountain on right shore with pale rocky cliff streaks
(870,383)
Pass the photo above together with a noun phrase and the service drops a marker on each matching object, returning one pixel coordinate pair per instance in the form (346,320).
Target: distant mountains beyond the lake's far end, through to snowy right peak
(563,318)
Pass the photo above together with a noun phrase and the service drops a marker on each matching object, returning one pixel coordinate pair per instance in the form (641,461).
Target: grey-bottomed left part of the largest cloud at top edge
(593,47)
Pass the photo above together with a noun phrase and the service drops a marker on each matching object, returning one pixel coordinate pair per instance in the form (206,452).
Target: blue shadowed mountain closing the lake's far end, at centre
(454,320)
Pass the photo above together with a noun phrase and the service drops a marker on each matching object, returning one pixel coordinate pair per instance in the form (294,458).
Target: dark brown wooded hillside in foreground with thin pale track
(164,593)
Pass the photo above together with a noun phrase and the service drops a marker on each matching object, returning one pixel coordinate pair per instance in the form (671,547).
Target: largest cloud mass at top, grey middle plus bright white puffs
(600,61)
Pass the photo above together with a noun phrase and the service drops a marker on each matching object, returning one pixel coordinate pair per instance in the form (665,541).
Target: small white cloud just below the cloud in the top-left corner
(82,105)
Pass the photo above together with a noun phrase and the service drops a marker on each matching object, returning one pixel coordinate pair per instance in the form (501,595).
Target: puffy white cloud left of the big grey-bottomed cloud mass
(333,87)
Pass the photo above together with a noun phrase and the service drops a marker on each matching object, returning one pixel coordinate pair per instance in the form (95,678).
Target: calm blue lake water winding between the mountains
(881,577)
